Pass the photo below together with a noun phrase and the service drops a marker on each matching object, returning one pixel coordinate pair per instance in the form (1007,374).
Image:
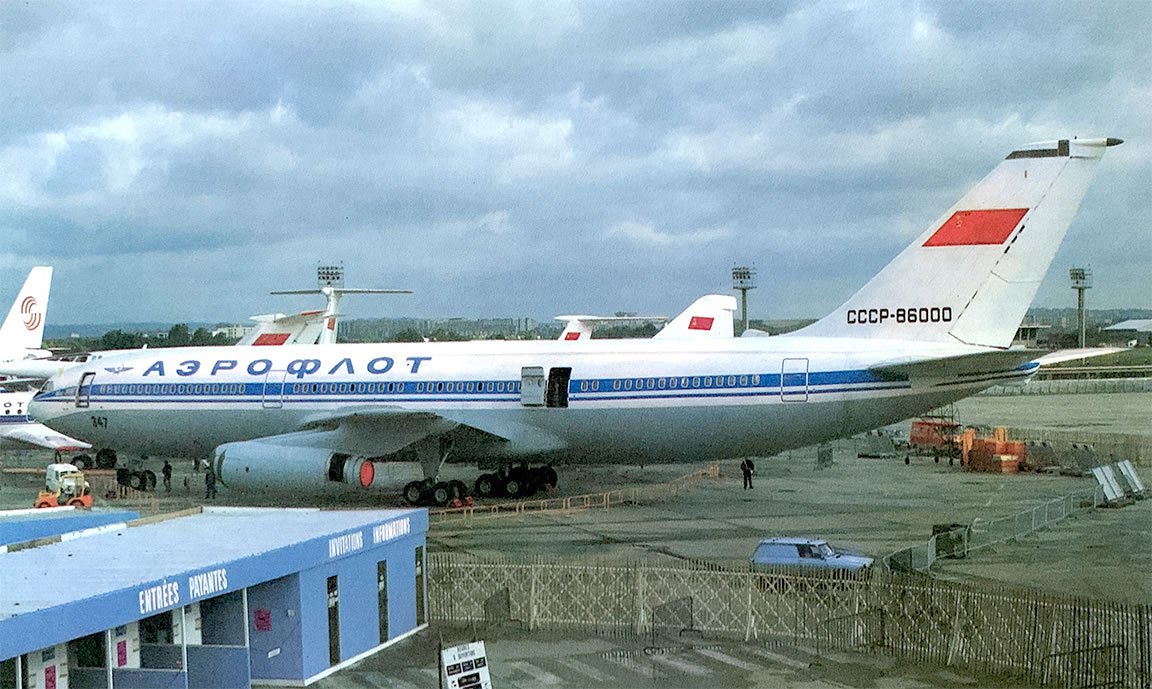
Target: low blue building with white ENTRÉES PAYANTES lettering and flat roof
(215,597)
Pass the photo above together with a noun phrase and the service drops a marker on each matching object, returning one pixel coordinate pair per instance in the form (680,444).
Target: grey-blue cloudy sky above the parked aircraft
(179,161)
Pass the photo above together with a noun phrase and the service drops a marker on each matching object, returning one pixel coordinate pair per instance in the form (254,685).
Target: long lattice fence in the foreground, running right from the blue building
(1033,637)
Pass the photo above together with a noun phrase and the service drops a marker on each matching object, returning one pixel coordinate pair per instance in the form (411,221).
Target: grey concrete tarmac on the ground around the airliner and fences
(871,505)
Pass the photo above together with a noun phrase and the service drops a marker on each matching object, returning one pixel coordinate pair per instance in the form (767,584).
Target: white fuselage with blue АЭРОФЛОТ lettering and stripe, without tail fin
(627,400)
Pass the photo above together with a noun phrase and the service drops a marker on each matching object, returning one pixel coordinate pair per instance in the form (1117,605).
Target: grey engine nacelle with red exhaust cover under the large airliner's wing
(264,467)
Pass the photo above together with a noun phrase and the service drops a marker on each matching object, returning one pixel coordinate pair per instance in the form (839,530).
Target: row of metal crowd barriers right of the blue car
(982,533)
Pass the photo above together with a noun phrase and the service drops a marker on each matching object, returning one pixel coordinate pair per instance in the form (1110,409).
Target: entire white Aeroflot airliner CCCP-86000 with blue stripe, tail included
(934,327)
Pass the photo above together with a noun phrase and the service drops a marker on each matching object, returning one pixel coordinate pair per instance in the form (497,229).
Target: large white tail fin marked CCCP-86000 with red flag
(972,276)
